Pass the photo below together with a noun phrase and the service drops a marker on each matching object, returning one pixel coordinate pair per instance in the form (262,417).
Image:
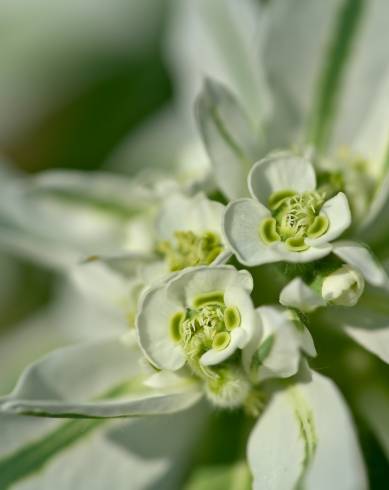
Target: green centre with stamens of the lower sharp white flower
(207,325)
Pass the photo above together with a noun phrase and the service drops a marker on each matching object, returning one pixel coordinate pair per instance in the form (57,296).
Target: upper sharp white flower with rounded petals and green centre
(287,219)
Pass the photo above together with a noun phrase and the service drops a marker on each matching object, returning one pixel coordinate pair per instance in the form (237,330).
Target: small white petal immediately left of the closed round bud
(296,294)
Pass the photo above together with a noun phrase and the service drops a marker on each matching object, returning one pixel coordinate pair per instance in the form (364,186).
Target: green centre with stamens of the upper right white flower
(295,217)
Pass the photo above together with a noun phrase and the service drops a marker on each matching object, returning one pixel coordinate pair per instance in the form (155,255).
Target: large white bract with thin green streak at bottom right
(306,437)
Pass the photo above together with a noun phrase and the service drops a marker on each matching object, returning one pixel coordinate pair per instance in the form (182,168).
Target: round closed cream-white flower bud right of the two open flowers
(343,287)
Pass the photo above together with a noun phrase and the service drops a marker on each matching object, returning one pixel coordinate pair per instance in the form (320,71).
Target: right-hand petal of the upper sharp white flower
(337,210)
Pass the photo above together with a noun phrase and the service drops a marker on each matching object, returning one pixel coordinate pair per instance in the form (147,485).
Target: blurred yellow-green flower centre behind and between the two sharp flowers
(188,249)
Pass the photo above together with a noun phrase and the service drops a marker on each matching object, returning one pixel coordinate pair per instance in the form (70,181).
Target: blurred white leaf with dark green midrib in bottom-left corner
(151,452)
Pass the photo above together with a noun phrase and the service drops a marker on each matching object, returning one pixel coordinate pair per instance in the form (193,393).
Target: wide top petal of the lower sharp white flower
(195,281)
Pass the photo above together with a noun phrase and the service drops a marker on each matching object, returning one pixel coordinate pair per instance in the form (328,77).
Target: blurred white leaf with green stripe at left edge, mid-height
(58,217)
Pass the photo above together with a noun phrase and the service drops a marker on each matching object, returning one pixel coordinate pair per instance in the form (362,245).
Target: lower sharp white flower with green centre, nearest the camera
(200,317)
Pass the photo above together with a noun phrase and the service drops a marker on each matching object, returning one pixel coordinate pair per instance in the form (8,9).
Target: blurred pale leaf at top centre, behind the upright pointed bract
(218,40)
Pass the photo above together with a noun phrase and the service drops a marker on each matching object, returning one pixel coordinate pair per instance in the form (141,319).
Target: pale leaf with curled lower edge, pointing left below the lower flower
(109,371)
